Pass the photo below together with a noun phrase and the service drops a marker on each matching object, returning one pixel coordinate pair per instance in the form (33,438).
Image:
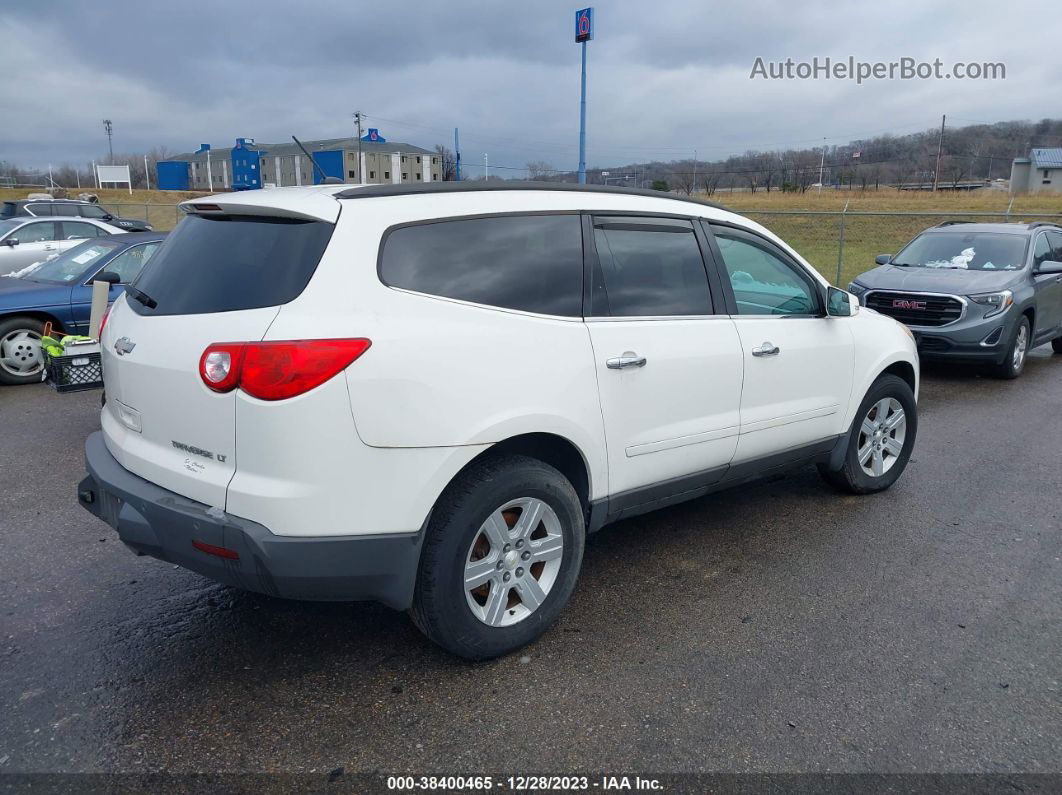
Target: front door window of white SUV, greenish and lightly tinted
(763,282)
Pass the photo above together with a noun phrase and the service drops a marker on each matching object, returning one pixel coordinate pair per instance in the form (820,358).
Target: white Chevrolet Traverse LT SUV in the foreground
(430,395)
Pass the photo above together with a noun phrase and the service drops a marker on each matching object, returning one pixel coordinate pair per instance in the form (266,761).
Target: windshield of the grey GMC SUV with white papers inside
(970,252)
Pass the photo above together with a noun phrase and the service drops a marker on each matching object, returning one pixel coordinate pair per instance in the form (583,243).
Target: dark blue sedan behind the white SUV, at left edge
(60,290)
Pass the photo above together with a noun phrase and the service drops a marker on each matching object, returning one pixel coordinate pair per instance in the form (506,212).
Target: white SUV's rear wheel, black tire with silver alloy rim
(466,538)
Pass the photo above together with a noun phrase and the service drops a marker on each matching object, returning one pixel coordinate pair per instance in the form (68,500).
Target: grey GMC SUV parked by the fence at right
(984,293)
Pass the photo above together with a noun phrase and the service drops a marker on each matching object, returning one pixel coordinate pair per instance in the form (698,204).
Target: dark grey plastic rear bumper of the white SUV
(155,522)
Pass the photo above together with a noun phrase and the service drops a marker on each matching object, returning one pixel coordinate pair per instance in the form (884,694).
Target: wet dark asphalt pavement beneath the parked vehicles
(777,628)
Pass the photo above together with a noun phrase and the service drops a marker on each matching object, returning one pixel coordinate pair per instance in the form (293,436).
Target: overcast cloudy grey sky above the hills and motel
(665,78)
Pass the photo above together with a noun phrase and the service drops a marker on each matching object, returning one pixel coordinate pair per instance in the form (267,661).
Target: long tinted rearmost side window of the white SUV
(533,264)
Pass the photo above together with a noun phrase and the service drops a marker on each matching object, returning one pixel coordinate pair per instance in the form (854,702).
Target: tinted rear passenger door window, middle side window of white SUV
(648,268)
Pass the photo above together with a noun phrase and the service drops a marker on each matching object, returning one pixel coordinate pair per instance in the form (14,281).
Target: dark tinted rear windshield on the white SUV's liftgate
(232,263)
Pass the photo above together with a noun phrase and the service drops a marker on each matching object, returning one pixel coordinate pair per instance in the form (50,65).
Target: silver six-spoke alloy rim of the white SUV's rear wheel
(513,562)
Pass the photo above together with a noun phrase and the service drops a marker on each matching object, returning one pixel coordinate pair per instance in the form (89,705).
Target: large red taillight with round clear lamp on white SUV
(277,371)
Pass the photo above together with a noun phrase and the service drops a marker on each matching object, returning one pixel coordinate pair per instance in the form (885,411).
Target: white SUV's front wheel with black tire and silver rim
(889,395)
